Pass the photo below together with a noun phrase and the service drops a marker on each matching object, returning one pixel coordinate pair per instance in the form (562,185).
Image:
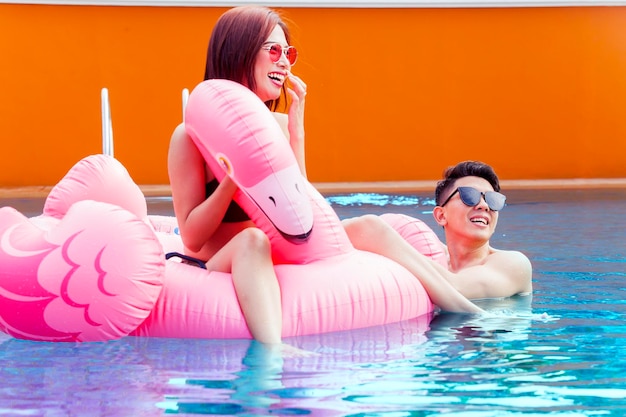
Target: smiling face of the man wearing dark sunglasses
(478,222)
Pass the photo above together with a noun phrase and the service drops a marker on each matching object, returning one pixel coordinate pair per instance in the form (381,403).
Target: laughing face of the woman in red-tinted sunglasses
(270,76)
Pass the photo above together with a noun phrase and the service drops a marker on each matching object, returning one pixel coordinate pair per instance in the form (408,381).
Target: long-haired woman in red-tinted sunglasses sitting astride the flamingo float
(249,45)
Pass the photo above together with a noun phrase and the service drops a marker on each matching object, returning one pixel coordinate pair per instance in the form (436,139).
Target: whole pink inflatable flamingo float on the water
(92,266)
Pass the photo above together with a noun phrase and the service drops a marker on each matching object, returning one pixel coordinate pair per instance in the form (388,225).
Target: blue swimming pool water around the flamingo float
(517,361)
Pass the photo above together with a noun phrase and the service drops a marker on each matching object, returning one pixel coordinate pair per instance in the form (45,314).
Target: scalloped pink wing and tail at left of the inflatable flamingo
(91,271)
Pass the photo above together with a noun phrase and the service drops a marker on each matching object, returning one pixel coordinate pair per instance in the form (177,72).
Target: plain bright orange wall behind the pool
(394,94)
